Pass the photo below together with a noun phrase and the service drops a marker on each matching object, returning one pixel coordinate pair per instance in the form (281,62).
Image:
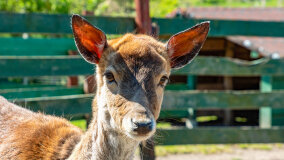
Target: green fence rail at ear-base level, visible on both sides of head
(29,66)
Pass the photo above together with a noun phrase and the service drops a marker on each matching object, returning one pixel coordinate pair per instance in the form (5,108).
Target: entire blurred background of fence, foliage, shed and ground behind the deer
(227,104)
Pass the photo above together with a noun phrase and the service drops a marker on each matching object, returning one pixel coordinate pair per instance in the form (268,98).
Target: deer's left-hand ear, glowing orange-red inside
(89,40)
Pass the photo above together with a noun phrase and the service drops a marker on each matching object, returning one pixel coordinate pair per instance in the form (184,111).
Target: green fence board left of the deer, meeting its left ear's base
(44,66)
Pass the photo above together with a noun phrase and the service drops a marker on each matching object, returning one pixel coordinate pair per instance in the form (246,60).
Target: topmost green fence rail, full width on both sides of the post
(44,23)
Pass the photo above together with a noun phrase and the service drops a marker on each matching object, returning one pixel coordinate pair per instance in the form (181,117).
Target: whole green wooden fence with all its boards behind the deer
(35,57)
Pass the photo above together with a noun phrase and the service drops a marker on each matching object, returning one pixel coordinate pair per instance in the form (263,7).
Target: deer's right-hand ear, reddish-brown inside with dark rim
(184,46)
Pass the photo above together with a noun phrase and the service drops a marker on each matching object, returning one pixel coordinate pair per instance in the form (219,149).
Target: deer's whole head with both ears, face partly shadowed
(132,72)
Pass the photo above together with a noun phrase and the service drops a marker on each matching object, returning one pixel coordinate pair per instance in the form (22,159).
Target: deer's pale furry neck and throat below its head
(103,140)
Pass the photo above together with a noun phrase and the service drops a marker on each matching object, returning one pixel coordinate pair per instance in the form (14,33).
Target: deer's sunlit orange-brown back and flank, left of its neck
(27,135)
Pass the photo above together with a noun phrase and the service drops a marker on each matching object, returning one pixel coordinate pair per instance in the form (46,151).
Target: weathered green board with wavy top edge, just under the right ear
(232,67)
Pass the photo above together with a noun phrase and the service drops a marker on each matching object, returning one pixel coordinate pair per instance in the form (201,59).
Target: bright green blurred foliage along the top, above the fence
(158,8)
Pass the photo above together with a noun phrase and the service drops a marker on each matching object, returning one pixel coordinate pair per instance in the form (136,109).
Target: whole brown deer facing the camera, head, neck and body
(131,73)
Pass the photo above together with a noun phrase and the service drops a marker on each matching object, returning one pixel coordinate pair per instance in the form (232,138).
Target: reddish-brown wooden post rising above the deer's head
(142,19)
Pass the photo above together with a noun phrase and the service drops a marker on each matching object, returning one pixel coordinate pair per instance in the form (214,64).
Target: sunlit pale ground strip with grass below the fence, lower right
(222,152)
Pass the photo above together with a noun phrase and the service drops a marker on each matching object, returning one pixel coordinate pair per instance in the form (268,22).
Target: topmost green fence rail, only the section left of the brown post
(60,24)
